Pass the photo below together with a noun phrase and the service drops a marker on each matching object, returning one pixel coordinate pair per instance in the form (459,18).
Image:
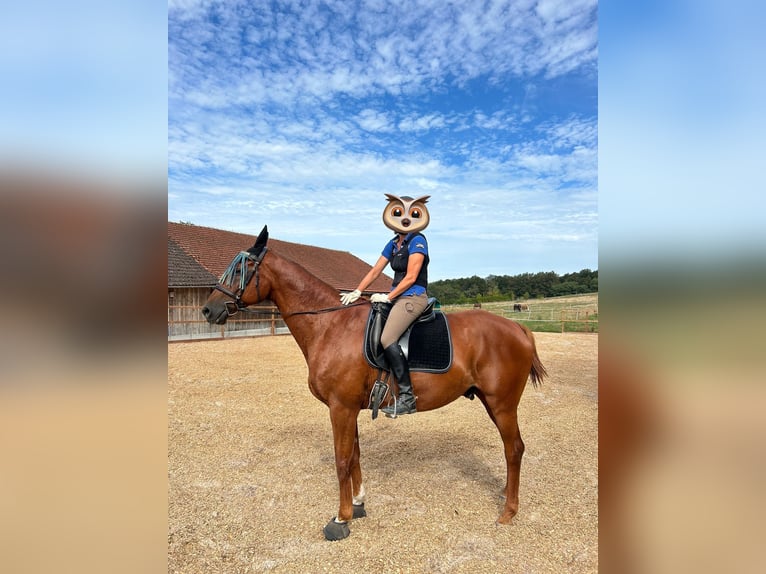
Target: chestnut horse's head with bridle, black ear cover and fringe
(240,285)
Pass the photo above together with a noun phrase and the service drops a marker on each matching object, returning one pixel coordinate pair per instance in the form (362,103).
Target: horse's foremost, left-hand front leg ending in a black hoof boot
(345,437)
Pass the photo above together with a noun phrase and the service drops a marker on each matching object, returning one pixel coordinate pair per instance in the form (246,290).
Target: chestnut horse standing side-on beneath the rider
(493,359)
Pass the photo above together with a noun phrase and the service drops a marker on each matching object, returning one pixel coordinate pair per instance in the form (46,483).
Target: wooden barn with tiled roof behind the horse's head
(198,256)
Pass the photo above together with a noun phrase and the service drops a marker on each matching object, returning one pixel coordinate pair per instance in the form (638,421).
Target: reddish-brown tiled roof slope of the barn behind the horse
(214,249)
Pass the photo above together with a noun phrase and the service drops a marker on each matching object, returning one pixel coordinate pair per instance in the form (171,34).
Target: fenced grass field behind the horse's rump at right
(569,313)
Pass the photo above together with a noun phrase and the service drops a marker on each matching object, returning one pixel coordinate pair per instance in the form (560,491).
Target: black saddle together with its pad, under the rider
(426,343)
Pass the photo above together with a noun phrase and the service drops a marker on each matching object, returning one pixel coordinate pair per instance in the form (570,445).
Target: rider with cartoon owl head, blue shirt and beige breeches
(408,254)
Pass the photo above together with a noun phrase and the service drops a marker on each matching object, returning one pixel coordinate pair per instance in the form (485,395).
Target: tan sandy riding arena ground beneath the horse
(251,472)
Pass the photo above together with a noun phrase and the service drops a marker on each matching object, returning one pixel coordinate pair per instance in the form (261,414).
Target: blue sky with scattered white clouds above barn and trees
(301,115)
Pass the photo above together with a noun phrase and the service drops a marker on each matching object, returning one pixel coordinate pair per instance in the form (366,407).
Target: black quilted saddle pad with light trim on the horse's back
(428,345)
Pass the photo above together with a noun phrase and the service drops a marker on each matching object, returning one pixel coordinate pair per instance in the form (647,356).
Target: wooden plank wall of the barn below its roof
(185,320)
